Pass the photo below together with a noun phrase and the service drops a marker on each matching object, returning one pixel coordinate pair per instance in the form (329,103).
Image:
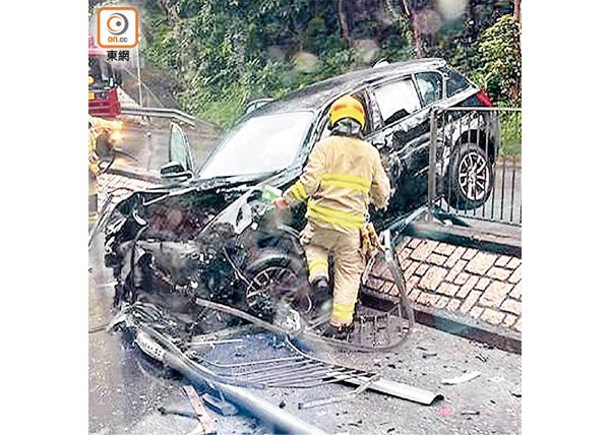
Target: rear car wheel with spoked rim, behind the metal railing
(470,177)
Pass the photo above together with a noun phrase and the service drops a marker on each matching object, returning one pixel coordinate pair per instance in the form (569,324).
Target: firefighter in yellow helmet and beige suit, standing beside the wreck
(343,175)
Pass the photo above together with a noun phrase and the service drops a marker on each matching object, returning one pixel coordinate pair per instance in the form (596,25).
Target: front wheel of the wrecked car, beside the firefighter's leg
(274,275)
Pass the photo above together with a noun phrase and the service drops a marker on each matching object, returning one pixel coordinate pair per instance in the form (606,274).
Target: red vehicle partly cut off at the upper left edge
(103,84)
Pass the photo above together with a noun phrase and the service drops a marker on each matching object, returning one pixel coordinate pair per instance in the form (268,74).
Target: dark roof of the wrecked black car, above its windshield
(314,96)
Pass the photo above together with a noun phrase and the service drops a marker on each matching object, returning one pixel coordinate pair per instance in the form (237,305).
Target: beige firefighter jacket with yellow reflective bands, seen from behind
(343,175)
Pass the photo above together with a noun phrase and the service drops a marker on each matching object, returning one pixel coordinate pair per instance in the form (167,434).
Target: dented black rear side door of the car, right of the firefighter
(401,118)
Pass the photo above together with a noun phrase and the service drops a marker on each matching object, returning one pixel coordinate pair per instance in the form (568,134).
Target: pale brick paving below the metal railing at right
(462,280)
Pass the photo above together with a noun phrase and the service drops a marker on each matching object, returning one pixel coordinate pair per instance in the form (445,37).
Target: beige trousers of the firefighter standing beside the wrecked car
(349,264)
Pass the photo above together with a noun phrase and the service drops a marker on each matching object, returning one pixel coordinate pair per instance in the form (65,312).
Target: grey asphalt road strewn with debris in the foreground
(125,387)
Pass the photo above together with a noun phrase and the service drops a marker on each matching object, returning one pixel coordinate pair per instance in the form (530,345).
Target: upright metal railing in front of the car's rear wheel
(476,156)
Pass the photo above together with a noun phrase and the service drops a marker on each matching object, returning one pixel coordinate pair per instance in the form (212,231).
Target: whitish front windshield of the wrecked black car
(260,145)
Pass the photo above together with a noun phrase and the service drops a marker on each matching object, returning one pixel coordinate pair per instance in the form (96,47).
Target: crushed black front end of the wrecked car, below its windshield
(169,246)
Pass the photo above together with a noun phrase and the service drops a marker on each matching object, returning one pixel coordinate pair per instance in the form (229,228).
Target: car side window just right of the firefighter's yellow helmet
(397,100)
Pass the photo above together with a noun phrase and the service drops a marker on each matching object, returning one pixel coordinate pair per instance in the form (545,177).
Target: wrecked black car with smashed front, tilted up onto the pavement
(209,235)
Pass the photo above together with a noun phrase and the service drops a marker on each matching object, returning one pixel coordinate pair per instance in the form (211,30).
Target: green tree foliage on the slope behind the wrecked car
(223,53)
